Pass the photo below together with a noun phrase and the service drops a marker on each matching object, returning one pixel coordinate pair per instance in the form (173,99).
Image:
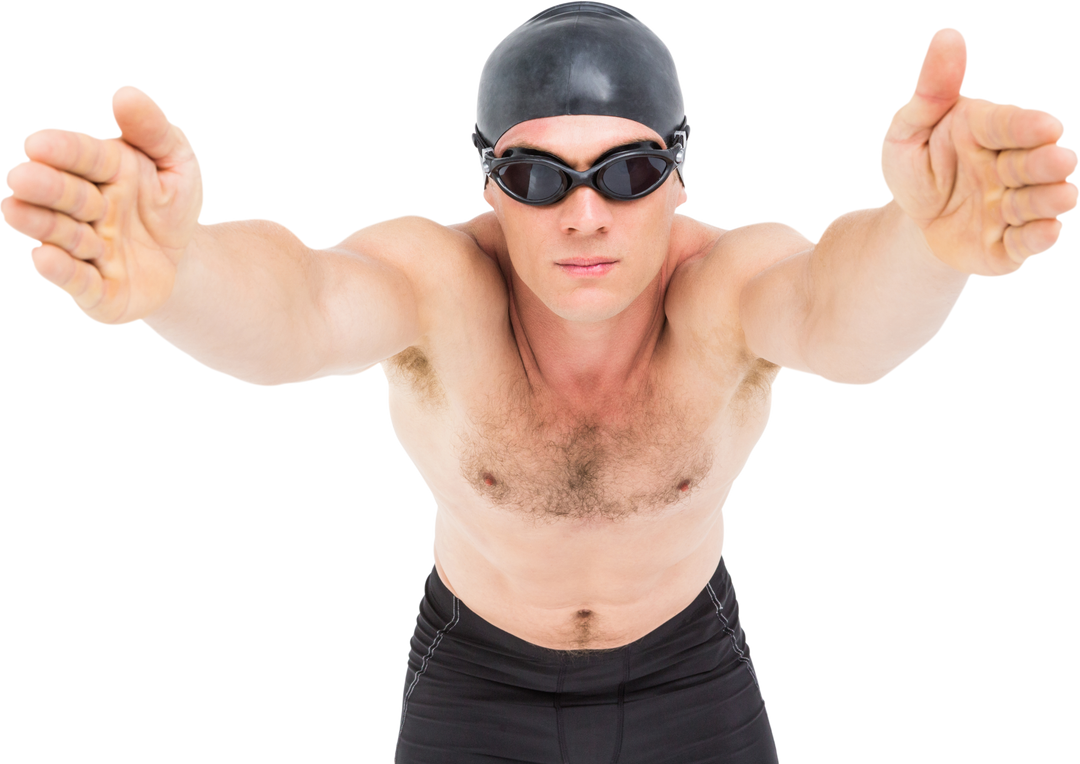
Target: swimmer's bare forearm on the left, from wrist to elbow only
(242,306)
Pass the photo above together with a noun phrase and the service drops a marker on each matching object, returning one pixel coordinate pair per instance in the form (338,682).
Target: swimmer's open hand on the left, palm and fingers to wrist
(113,217)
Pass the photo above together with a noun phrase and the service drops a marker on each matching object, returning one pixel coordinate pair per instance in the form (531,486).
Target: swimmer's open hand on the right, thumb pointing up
(985,181)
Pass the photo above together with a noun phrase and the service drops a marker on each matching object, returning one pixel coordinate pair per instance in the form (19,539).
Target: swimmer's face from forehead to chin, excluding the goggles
(586,224)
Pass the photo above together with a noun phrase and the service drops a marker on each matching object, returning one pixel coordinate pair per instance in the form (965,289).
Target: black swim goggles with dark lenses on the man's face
(624,175)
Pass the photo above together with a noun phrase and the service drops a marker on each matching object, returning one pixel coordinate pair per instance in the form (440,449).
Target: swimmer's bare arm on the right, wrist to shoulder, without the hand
(857,306)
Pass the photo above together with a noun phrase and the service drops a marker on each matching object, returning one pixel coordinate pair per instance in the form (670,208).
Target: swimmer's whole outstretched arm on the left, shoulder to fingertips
(117,225)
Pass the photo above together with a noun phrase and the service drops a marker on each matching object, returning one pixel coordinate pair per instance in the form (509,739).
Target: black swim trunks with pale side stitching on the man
(687,693)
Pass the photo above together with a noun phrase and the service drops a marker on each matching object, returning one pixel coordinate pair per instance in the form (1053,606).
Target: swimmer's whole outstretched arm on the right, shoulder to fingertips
(978,189)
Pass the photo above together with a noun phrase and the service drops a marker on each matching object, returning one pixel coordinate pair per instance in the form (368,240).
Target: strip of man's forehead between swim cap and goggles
(576,135)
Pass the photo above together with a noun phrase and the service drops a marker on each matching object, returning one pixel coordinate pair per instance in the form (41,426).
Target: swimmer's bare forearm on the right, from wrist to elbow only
(879,296)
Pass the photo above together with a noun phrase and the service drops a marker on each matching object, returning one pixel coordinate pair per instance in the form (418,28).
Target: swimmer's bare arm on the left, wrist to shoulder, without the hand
(255,303)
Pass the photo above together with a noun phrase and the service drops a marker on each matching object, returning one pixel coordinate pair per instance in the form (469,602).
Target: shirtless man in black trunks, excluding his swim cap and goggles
(580,433)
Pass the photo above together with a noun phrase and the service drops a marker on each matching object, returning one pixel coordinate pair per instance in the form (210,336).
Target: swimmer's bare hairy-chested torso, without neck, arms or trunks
(582,531)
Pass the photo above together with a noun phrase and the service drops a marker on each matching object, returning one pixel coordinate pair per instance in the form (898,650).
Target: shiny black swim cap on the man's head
(582,58)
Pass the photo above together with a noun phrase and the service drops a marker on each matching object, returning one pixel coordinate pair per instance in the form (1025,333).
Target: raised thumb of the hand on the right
(940,81)
